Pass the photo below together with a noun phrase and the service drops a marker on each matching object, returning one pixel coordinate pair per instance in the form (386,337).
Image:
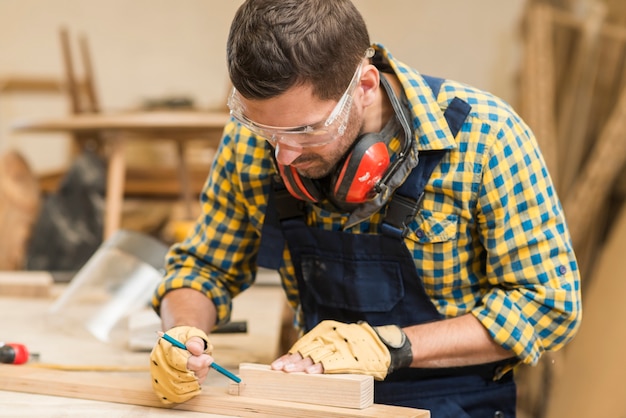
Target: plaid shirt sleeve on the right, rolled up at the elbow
(534,302)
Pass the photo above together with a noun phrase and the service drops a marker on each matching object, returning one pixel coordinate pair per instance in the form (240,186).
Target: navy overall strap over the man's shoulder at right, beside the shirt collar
(406,200)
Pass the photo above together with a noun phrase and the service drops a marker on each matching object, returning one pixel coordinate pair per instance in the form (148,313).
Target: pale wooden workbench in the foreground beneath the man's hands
(30,391)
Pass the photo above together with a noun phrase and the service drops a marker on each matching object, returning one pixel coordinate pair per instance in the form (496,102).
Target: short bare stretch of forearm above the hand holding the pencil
(188,307)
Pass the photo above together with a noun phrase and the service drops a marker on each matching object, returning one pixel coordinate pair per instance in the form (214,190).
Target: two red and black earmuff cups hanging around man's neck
(354,180)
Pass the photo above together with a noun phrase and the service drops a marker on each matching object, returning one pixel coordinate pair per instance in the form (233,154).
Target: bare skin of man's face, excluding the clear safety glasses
(299,107)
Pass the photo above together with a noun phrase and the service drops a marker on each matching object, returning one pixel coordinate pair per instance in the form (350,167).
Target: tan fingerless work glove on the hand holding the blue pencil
(171,380)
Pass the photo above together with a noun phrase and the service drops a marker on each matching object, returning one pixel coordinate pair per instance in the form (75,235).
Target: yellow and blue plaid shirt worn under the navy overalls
(489,239)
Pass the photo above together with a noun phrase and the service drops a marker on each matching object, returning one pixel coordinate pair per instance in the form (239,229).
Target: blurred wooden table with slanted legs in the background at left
(117,128)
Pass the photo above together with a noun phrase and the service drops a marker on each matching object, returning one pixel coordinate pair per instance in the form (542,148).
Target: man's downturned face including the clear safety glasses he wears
(310,134)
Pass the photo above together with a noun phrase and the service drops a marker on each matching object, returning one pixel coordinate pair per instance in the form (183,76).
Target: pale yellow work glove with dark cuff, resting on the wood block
(356,348)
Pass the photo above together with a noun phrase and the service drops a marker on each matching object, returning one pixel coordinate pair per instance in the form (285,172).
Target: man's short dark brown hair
(276,44)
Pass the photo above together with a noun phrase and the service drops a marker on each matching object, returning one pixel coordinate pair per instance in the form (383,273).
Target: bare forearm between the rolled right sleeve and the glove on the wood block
(453,342)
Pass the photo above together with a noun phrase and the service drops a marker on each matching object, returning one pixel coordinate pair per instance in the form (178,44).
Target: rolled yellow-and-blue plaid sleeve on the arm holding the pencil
(218,257)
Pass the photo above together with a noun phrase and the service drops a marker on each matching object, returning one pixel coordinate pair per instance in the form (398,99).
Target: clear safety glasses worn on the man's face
(320,133)
